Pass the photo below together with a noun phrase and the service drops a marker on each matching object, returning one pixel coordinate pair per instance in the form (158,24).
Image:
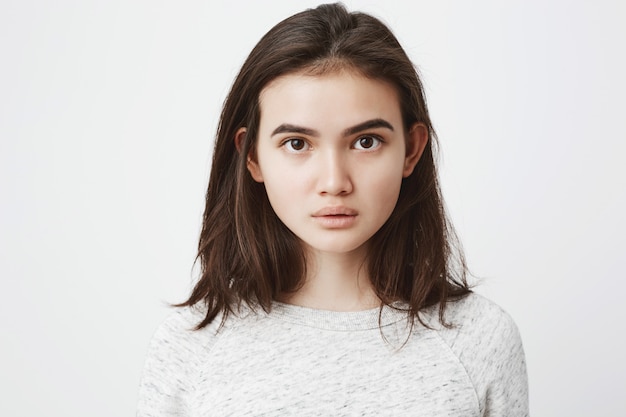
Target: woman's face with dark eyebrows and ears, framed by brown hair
(332,152)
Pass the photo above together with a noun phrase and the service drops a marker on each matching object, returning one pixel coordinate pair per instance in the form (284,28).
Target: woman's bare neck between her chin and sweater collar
(338,282)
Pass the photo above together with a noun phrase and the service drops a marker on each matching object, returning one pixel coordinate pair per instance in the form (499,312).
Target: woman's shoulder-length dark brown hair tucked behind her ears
(247,254)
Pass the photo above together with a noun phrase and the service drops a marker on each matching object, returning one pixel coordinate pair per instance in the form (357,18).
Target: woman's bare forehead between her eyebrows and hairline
(328,101)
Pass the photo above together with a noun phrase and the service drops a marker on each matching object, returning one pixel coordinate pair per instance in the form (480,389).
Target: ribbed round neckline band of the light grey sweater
(374,318)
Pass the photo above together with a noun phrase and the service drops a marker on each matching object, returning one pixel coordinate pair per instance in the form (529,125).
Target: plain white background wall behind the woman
(107,114)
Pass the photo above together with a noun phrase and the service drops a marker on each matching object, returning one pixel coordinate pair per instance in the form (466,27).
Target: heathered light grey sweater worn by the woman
(305,362)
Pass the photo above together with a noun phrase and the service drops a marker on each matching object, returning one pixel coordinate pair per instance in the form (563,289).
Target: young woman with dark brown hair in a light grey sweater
(331,280)
